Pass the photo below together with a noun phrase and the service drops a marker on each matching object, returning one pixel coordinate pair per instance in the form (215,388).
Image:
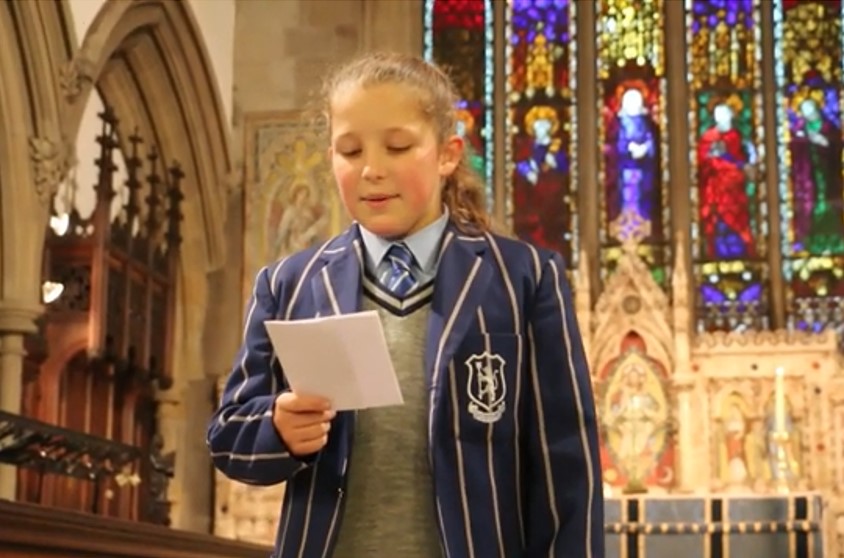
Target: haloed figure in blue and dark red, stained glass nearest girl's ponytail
(541,166)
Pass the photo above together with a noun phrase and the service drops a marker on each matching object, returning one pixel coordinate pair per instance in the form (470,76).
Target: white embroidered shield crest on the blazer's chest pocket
(486,386)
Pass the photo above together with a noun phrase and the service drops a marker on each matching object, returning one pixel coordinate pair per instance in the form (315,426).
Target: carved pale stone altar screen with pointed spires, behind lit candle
(708,414)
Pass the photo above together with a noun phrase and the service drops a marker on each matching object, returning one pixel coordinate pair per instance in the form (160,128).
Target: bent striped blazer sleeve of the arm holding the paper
(243,441)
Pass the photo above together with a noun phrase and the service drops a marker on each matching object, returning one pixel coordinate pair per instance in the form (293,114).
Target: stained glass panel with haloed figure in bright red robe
(729,212)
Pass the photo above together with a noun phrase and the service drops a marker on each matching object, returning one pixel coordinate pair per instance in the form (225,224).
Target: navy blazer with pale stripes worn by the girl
(515,466)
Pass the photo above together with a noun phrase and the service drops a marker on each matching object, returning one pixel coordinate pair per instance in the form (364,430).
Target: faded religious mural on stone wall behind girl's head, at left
(291,202)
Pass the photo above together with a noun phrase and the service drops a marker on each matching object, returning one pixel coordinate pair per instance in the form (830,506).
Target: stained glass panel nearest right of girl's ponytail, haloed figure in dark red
(541,122)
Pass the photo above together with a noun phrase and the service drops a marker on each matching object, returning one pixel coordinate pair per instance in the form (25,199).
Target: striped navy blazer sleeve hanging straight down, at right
(564,491)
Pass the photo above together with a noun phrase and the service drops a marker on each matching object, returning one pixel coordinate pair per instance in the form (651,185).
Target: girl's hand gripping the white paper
(303,422)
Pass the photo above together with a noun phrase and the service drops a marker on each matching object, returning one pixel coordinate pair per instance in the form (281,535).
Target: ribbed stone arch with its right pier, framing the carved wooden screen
(147,59)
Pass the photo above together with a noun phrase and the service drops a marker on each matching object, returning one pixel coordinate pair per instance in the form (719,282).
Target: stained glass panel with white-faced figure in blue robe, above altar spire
(632,129)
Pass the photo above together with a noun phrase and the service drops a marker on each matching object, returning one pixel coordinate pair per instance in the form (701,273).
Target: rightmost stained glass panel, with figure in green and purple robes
(808,57)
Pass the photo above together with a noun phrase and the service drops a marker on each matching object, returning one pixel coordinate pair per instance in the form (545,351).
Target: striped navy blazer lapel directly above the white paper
(336,287)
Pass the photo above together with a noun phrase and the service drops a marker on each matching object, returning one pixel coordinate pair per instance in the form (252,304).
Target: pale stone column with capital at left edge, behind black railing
(16,320)
